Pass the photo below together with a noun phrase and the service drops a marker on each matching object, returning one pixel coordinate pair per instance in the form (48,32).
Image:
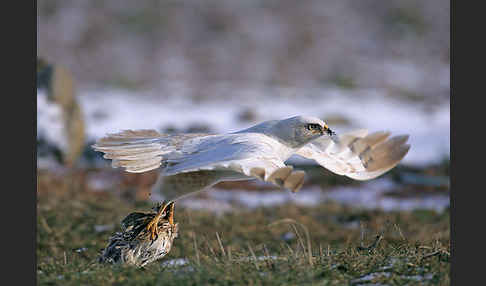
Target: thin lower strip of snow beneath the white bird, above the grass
(370,195)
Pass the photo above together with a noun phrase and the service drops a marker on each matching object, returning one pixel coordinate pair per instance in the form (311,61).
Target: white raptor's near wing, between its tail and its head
(247,154)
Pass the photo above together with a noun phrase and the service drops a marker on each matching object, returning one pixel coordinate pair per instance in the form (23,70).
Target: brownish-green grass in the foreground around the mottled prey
(328,244)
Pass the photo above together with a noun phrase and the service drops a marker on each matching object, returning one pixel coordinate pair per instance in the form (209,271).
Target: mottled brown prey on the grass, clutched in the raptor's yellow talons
(145,237)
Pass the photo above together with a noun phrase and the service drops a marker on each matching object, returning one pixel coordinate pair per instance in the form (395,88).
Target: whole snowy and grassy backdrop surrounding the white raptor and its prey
(220,66)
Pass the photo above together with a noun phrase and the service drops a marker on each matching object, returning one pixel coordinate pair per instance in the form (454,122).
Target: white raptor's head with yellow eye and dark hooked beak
(300,130)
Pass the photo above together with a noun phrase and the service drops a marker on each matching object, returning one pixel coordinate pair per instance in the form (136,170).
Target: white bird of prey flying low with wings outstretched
(194,161)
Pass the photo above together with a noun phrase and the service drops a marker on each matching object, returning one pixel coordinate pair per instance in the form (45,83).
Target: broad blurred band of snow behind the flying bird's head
(108,111)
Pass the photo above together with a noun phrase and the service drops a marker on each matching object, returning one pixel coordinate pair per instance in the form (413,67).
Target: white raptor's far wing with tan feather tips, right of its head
(357,154)
